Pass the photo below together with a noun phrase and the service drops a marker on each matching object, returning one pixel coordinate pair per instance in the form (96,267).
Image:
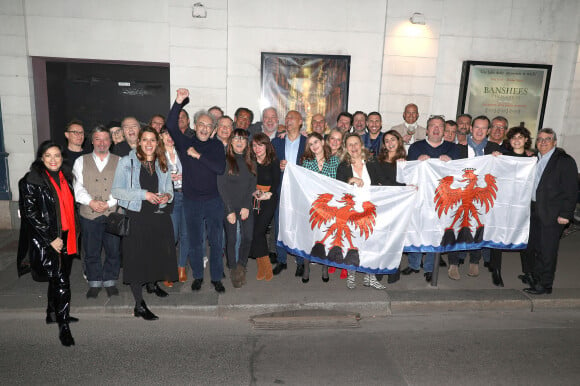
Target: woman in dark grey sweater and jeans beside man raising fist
(236,187)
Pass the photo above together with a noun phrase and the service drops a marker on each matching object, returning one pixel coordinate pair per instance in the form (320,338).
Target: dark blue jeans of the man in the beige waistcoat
(100,273)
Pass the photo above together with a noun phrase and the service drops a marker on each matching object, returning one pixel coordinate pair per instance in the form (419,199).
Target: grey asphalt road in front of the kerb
(479,348)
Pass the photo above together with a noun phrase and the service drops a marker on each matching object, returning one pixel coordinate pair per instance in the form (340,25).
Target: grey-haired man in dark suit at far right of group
(553,203)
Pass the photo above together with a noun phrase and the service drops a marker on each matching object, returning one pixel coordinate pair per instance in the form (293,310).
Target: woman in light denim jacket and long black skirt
(143,186)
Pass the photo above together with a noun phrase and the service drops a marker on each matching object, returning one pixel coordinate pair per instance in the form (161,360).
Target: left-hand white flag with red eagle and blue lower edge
(333,223)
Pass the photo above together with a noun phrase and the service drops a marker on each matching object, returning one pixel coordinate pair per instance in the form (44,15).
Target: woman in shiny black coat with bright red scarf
(48,232)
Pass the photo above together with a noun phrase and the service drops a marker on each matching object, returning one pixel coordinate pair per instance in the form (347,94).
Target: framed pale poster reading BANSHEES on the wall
(515,91)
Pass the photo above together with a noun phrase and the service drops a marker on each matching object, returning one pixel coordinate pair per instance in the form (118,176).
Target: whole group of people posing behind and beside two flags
(219,181)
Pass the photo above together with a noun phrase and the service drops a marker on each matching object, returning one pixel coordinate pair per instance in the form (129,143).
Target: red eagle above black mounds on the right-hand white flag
(464,199)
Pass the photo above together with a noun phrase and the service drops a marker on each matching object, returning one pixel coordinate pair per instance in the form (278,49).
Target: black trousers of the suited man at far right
(541,255)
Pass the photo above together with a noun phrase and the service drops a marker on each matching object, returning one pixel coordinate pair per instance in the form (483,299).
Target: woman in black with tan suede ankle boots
(265,201)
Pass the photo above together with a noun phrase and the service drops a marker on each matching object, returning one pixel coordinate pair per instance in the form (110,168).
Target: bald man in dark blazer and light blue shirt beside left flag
(289,149)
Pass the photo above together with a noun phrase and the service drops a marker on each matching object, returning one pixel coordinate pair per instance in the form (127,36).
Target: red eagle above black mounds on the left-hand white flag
(341,219)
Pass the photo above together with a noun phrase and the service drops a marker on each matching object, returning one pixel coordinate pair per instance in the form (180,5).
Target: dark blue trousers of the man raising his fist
(205,215)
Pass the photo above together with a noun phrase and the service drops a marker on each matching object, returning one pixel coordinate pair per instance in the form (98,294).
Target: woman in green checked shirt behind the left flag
(318,158)
